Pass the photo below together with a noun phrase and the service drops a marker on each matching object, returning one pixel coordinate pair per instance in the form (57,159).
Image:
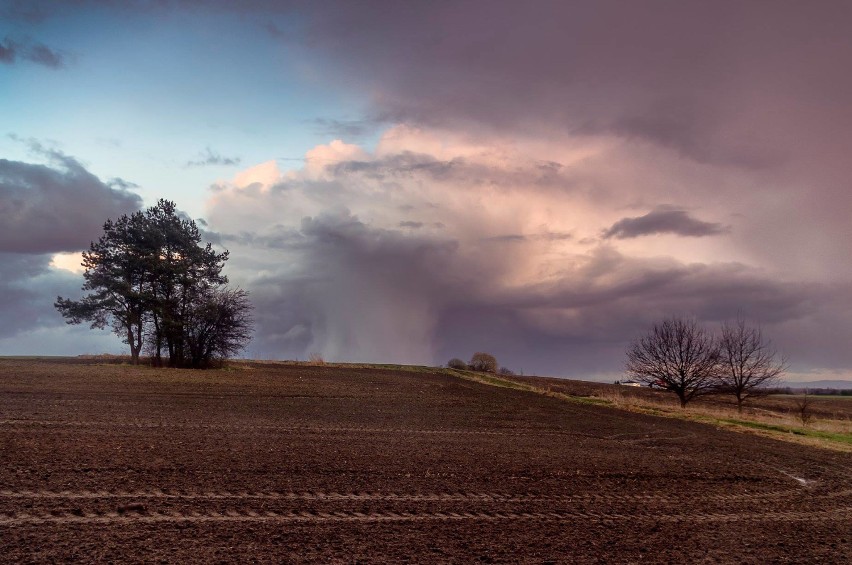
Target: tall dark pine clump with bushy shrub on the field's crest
(153,281)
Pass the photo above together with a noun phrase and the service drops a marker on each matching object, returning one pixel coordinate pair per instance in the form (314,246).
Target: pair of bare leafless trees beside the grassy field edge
(683,357)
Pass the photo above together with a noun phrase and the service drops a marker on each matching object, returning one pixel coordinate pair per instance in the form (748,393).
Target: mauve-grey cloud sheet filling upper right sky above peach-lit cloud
(752,97)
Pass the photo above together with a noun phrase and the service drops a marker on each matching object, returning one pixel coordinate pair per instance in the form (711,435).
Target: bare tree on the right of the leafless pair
(749,364)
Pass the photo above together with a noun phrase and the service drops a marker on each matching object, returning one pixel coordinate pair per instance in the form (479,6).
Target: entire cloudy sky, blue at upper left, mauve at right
(406,182)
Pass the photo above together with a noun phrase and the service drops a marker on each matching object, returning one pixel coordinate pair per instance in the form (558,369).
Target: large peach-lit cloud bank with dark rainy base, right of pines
(434,246)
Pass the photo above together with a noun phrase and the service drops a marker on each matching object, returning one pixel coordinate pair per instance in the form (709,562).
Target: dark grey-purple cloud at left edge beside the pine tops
(55,207)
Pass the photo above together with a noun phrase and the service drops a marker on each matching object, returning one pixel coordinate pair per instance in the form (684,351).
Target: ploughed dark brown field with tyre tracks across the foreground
(272,463)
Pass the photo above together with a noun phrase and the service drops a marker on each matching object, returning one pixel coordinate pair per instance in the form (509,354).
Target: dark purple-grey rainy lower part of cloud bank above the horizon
(360,293)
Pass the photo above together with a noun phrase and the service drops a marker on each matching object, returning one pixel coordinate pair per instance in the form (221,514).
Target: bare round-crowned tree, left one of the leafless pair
(677,355)
